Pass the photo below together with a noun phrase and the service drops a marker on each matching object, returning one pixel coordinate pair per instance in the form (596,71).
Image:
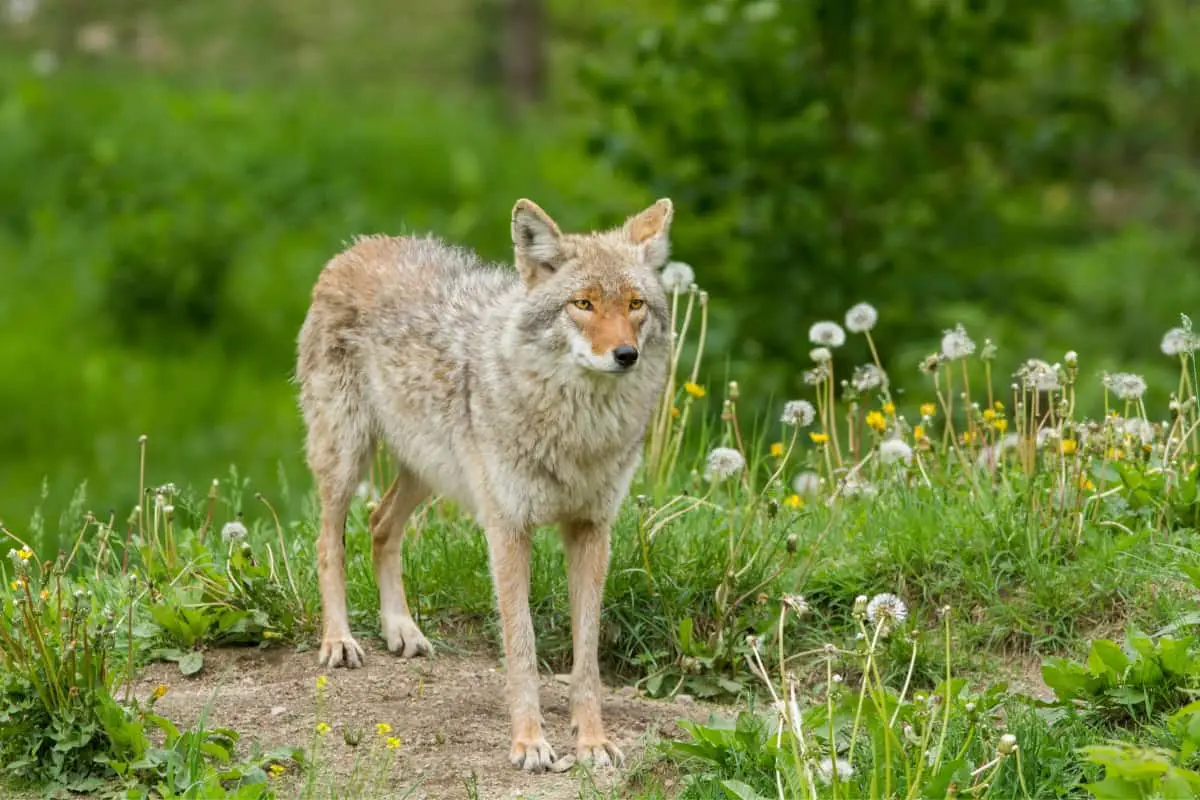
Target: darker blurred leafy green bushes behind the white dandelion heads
(1009,165)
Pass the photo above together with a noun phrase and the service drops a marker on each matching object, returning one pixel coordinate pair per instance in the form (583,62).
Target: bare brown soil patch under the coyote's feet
(449,712)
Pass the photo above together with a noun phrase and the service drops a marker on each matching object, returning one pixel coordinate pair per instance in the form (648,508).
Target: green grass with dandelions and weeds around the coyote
(1058,550)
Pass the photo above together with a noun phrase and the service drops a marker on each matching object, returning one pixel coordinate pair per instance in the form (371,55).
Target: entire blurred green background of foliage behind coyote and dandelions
(167,200)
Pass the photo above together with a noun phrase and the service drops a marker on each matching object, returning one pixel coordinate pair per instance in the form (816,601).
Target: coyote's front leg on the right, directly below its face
(587,562)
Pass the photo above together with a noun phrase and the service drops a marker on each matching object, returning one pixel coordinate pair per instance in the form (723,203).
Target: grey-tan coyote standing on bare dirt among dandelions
(524,398)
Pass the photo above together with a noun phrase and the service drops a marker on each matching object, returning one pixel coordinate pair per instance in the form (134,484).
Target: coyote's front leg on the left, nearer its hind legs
(511,551)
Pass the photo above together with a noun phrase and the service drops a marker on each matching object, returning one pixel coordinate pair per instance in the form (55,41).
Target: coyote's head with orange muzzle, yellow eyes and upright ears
(597,297)
